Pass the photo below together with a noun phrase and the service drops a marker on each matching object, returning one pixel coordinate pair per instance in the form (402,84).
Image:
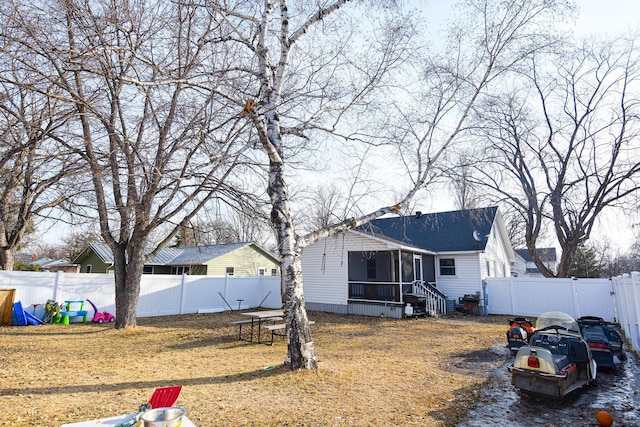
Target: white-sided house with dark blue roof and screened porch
(375,269)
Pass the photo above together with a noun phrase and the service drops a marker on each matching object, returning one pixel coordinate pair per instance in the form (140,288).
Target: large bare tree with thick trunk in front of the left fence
(158,140)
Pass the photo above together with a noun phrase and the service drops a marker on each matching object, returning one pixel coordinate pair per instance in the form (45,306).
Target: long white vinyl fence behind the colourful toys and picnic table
(160,295)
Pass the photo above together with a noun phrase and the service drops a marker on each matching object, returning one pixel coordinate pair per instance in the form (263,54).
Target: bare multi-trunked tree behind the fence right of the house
(563,145)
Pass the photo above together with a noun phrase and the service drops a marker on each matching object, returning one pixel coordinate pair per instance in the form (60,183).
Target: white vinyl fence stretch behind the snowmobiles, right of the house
(532,296)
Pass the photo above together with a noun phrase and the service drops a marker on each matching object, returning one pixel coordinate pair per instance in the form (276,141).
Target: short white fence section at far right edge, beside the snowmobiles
(627,293)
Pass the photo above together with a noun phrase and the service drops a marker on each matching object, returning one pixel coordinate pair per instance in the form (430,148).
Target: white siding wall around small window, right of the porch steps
(467,279)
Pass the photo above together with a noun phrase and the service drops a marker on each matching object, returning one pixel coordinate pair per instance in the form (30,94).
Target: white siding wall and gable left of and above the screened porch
(325,267)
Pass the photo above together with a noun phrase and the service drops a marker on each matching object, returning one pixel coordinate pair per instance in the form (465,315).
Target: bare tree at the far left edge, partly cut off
(36,166)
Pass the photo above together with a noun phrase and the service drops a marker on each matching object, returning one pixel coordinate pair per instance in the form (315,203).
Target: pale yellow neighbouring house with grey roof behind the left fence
(233,259)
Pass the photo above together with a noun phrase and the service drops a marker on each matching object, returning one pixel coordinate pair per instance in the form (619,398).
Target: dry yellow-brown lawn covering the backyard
(372,371)
